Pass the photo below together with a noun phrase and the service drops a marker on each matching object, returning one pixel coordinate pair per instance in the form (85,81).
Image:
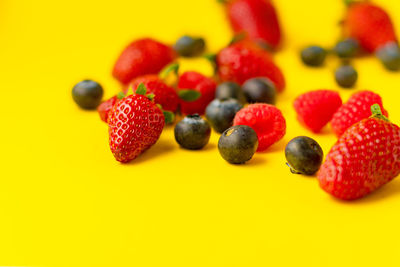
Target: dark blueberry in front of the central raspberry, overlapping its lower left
(238,144)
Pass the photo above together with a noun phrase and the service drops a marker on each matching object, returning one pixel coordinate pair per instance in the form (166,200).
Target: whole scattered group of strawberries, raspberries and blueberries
(239,101)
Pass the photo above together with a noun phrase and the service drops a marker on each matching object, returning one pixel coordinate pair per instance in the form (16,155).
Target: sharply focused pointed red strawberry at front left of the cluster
(134,126)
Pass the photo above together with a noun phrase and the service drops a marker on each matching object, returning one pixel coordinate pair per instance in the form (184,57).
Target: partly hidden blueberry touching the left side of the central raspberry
(220,113)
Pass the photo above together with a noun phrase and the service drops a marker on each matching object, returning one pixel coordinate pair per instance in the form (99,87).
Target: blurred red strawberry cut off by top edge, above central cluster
(256,18)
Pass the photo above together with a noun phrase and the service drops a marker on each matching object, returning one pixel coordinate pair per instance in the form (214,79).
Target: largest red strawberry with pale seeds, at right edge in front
(364,158)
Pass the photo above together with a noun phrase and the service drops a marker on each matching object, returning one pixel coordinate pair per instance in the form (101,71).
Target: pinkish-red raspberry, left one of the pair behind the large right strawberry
(316,108)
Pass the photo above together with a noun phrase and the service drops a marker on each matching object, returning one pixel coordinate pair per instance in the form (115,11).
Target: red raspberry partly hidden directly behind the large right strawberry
(356,109)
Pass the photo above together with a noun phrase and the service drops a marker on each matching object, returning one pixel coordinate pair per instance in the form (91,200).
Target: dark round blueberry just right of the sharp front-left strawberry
(193,132)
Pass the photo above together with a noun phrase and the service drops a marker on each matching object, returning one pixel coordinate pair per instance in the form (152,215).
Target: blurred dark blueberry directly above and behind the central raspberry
(260,90)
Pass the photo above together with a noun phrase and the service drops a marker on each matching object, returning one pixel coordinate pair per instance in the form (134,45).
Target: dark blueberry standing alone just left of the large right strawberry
(304,155)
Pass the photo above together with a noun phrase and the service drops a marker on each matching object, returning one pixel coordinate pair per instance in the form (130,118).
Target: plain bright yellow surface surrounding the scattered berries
(65,201)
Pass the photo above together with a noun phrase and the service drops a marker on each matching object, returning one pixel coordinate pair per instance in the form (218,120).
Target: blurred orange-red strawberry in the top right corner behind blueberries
(370,25)
